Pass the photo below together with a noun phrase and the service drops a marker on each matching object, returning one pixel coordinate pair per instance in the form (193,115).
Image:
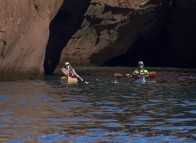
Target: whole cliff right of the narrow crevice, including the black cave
(121,32)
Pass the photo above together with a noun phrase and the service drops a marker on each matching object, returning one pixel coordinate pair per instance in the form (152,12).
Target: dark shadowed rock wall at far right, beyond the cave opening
(181,31)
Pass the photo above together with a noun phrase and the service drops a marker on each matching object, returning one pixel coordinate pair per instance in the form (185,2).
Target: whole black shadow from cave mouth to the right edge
(171,44)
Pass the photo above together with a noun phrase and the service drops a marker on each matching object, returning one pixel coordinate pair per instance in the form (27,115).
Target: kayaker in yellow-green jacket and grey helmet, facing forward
(139,72)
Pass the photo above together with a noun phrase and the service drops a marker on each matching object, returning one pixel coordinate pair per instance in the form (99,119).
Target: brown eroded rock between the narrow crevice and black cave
(110,28)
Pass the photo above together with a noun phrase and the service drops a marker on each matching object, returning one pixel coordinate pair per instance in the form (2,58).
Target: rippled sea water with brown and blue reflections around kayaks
(164,110)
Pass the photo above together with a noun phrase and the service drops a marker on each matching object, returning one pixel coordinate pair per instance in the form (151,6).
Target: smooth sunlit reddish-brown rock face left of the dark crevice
(24,31)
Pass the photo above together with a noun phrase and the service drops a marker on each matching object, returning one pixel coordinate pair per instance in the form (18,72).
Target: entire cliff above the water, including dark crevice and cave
(94,32)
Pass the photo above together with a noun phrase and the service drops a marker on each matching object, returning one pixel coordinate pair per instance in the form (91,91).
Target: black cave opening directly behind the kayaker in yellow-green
(153,50)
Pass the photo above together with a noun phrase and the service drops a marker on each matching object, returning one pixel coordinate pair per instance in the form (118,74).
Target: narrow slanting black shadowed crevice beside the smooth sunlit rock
(67,21)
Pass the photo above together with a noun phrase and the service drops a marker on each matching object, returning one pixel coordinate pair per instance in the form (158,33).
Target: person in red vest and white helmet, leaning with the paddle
(69,71)
